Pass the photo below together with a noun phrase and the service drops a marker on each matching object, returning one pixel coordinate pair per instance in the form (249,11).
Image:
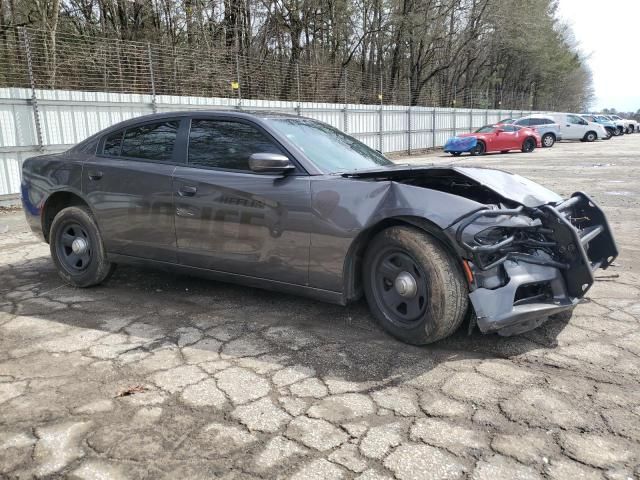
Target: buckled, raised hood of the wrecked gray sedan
(507,185)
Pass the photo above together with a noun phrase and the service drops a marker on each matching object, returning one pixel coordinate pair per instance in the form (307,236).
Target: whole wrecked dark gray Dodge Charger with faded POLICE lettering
(292,204)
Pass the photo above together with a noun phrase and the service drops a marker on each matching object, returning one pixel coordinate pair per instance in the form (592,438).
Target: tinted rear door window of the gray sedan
(153,141)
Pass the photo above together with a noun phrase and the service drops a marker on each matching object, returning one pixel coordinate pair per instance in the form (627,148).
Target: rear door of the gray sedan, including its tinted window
(128,184)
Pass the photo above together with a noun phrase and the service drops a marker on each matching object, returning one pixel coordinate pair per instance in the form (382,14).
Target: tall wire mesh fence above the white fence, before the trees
(75,62)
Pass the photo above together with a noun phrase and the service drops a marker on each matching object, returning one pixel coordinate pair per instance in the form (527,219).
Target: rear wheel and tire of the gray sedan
(78,267)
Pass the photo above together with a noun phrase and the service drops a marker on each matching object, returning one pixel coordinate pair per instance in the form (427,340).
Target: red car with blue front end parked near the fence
(502,138)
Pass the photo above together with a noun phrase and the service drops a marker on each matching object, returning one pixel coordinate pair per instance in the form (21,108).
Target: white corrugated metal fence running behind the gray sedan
(58,119)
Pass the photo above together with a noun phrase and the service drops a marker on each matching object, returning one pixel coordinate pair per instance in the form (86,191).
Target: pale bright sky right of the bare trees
(608,32)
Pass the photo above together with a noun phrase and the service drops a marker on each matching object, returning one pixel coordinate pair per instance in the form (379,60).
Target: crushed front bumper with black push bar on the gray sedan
(516,285)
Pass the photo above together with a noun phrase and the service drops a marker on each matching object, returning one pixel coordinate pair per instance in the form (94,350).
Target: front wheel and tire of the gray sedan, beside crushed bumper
(440,299)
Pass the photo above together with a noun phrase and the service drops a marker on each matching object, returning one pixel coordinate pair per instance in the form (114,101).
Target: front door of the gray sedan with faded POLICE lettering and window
(233,220)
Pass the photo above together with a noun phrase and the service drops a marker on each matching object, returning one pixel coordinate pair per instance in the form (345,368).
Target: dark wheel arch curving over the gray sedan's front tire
(352,269)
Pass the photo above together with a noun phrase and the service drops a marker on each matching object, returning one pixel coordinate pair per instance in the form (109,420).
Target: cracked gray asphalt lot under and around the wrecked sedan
(155,375)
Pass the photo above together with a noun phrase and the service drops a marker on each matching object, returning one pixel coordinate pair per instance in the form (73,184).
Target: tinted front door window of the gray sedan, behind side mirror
(226,144)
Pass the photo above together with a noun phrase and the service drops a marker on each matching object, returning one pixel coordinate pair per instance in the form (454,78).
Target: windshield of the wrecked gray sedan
(327,147)
